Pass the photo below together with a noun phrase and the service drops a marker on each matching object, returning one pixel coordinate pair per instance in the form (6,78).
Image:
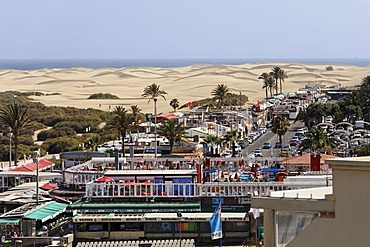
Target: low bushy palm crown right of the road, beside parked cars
(317,139)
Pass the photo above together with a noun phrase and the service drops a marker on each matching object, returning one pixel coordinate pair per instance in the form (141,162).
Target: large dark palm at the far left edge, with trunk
(16,116)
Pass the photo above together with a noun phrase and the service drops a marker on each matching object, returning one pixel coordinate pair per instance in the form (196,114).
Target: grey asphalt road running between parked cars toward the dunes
(269,136)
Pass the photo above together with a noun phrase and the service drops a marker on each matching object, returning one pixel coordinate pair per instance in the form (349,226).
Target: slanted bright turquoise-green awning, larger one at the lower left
(47,212)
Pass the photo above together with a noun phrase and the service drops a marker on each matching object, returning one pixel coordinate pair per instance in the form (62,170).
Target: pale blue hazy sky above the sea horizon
(184,29)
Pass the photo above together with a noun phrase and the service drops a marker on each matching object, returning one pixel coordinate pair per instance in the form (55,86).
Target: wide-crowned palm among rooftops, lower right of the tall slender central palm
(172,131)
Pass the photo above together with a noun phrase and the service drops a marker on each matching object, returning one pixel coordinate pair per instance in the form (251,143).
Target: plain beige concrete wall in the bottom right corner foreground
(350,227)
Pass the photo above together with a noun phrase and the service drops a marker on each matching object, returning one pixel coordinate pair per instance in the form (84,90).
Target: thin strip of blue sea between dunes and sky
(31,64)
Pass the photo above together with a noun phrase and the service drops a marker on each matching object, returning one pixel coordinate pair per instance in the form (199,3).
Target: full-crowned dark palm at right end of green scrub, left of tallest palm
(122,121)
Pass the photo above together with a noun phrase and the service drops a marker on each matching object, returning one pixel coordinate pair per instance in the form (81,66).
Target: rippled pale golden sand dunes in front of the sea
(188,83)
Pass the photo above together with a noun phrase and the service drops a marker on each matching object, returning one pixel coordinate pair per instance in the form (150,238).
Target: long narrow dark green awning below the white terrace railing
(134,207)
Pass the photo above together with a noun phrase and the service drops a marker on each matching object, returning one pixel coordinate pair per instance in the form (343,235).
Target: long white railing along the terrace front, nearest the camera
(237,189)
